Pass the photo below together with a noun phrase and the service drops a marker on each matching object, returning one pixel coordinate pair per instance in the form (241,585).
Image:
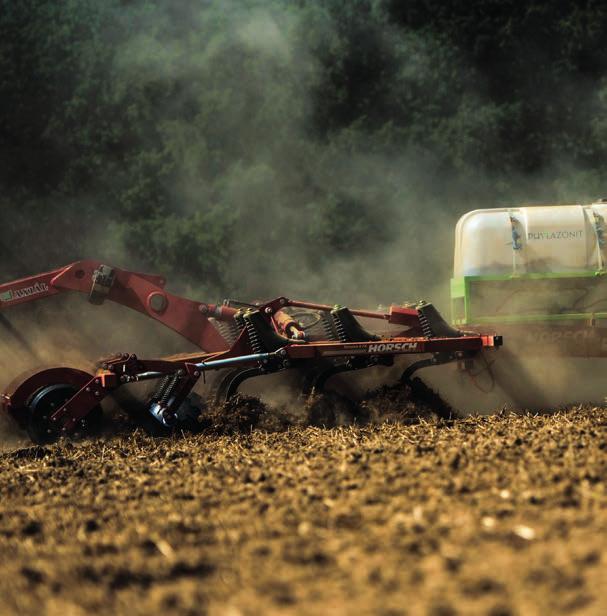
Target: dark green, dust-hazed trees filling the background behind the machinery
(264,146)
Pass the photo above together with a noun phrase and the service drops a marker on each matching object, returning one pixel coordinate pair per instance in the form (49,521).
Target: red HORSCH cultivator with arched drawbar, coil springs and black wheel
(242,340)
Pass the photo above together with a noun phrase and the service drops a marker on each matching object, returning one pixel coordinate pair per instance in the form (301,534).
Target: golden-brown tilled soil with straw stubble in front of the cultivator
(491,515)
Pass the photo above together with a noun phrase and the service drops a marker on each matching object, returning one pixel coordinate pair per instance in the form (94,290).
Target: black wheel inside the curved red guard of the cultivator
(45,402)
